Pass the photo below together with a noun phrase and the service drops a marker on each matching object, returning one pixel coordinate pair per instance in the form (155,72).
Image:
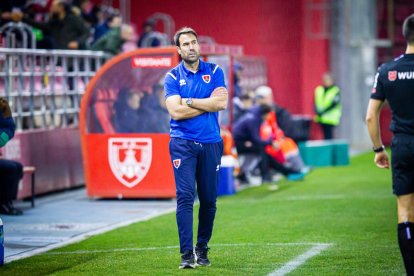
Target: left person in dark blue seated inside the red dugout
(129,116)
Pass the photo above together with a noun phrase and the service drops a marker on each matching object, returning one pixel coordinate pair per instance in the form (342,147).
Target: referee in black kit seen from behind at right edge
(394,82)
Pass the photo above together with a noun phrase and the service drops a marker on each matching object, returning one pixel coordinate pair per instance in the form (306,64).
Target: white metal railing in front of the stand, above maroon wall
(44,87)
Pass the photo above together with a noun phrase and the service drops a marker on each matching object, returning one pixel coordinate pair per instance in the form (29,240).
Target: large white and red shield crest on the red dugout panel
(130,159)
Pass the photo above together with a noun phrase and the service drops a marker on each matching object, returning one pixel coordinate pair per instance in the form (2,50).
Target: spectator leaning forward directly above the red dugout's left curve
(113,40)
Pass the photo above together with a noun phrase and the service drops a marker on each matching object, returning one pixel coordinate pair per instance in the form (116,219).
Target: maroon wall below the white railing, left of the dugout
(55,153)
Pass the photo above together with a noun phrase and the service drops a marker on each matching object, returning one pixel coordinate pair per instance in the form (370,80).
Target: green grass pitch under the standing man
(256,232)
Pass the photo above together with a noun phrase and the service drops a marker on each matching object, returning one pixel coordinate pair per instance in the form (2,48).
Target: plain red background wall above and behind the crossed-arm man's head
(273,29)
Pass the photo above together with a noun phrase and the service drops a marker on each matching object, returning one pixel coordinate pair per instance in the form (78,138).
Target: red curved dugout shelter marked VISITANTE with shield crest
(124,127)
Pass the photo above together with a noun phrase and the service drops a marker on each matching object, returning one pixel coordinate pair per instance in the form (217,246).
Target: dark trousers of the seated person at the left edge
(11,172)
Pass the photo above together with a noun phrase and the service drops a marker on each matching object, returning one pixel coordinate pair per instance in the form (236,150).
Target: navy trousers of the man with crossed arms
(195,162)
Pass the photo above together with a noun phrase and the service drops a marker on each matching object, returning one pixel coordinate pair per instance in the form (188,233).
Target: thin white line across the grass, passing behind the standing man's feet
(176,246)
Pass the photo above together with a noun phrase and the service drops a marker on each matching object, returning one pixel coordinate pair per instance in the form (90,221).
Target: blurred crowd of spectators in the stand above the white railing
(75,24)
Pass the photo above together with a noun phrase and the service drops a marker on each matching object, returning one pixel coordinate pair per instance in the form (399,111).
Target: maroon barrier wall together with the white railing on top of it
(44,89)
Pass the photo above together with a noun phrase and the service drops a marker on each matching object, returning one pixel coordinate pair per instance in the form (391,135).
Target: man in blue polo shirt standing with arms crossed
(195,92)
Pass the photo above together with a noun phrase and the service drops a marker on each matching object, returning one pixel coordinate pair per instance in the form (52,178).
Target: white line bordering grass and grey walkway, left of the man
(86,235)
